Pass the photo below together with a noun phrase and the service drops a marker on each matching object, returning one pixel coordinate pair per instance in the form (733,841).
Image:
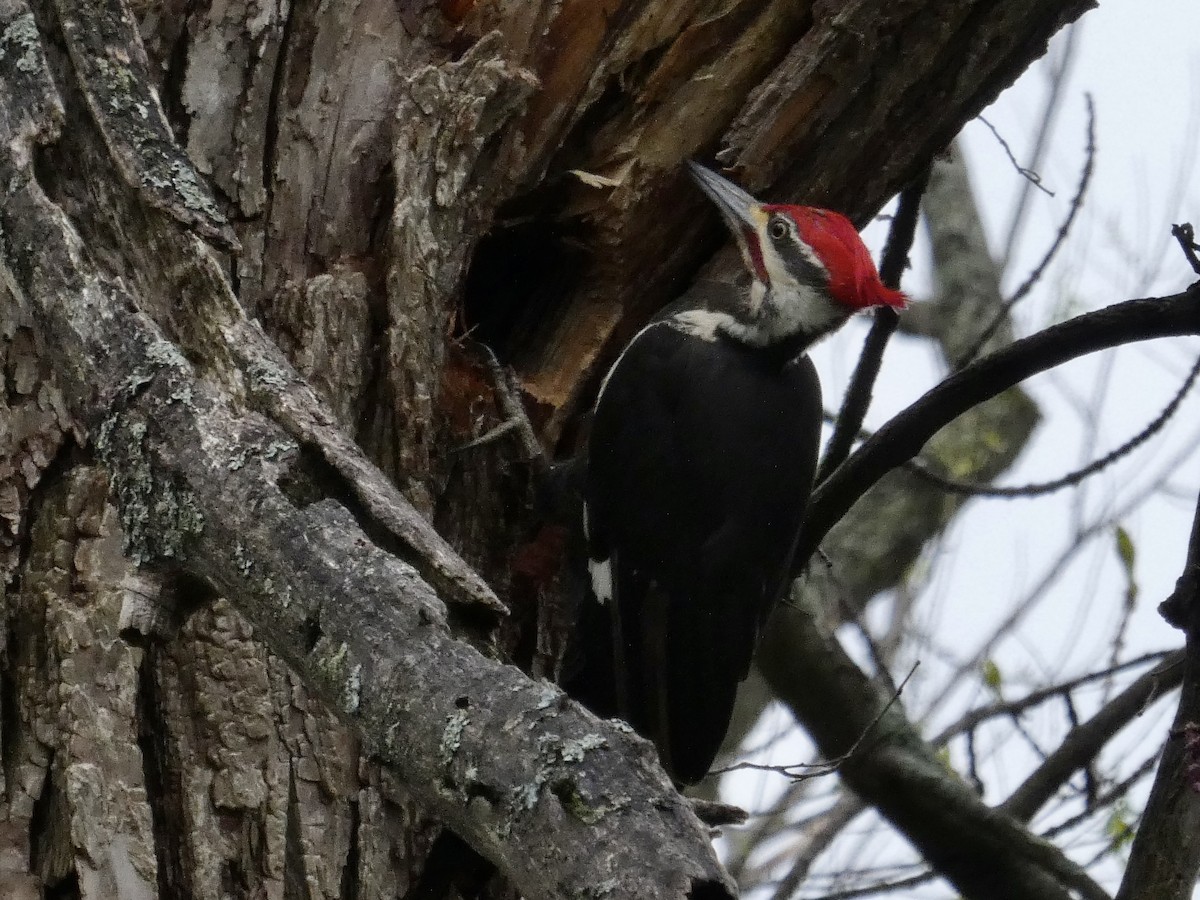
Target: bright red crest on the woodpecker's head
(854,279)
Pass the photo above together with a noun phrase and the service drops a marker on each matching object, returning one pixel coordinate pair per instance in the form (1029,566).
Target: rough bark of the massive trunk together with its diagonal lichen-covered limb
(379,165)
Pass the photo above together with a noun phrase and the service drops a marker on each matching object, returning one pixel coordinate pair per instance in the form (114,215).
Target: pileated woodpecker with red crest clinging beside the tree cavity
(700,465)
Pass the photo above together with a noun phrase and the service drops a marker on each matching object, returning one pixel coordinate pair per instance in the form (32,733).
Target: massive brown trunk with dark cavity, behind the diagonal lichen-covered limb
(389,183)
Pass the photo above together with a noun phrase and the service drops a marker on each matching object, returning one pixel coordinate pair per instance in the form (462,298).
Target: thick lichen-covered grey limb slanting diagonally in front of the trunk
(509,764)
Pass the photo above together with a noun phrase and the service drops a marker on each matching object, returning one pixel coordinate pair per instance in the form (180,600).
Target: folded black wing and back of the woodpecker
(701,461)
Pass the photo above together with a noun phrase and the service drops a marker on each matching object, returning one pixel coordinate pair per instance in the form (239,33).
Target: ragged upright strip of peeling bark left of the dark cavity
(447,117)
